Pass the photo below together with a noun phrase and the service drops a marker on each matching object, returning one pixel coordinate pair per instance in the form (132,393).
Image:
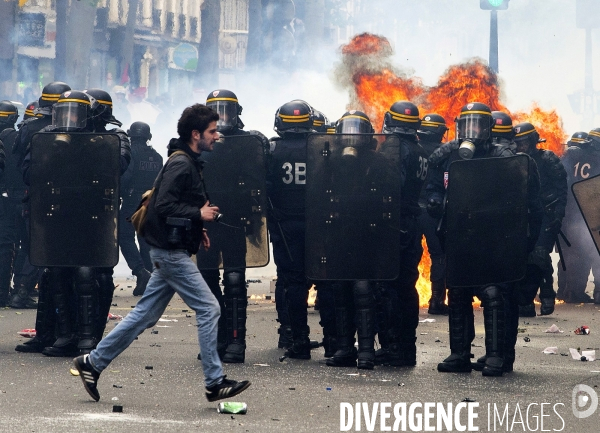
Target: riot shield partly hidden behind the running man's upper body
(235,176)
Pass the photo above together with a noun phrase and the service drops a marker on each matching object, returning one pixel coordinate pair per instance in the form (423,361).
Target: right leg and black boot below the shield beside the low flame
(494,319)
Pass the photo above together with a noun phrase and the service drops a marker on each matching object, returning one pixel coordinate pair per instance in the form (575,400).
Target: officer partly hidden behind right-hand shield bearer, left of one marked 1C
(553,195)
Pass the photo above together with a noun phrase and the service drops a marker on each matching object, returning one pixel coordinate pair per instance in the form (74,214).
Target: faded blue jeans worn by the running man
(173,272)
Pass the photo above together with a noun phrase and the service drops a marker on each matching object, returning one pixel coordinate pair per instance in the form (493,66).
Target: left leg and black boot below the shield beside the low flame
(461,321)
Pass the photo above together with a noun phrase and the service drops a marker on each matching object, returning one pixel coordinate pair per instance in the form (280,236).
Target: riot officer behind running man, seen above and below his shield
(229,243)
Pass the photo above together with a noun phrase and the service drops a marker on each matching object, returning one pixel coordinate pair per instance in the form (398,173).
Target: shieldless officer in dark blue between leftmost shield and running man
(144,167)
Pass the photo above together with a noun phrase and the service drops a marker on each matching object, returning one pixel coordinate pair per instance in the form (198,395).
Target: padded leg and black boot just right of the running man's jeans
(236,303)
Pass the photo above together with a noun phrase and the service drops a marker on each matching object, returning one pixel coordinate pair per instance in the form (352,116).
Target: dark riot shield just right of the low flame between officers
(486,221)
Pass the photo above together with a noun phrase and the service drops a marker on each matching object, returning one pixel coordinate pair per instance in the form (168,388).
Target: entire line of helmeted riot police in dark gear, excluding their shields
(73,302)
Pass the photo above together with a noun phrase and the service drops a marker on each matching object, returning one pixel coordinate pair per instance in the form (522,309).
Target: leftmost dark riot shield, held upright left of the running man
(74,197)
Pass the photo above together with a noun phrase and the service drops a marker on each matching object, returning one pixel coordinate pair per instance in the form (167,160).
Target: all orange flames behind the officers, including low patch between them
(375,84)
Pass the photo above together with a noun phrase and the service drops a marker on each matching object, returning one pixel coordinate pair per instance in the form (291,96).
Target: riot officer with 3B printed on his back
(286,183)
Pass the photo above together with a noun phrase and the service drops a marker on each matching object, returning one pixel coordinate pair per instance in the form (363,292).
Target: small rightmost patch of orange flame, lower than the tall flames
(548,124)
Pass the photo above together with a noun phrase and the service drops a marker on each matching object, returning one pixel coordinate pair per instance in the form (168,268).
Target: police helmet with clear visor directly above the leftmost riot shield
(72,111)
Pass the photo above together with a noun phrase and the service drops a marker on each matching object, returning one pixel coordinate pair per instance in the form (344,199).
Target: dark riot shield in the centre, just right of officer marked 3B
(352,207)
